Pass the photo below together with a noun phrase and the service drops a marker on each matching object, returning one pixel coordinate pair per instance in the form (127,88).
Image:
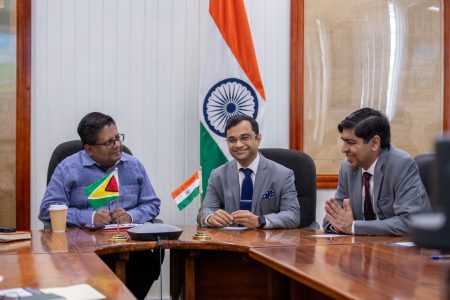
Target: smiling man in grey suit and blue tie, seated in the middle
(250,191)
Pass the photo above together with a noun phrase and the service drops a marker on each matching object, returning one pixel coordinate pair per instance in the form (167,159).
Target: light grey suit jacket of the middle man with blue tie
(274,194)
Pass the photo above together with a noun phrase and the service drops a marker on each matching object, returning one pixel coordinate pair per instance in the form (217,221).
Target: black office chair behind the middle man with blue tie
(305,180)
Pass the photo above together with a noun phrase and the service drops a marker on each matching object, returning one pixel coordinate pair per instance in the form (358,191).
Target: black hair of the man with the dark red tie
(368,122)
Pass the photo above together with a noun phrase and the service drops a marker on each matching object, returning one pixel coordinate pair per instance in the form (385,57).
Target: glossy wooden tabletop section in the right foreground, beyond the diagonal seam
(354,270)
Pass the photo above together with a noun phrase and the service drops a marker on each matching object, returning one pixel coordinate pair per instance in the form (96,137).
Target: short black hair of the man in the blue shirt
(91,124)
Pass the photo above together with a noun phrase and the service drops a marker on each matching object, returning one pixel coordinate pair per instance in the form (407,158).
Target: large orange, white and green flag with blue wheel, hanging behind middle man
(230,83)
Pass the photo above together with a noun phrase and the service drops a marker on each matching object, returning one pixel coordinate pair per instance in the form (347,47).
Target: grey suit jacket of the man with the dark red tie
(399,193)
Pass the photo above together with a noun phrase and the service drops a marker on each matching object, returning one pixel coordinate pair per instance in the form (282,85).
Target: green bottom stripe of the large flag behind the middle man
(211,156)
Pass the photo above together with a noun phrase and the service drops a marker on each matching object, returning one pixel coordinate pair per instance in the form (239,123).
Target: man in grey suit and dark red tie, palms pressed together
(379,185)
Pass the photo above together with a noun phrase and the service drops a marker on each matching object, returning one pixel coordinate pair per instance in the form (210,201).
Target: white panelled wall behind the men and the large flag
(138,60)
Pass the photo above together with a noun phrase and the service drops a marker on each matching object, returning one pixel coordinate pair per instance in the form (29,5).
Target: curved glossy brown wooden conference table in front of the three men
(248,264)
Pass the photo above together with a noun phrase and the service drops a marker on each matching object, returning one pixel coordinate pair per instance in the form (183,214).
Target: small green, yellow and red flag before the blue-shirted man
(103,191)
